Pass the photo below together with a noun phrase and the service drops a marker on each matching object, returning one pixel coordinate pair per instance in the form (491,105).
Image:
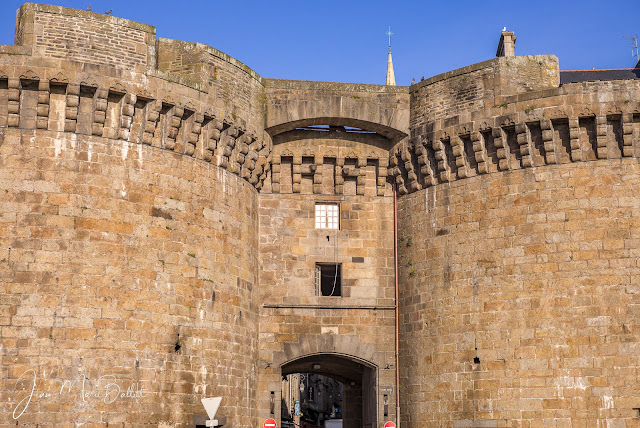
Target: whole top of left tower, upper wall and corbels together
(125,94)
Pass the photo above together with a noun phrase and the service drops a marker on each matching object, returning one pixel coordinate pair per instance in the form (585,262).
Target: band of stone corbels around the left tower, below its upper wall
(120,110)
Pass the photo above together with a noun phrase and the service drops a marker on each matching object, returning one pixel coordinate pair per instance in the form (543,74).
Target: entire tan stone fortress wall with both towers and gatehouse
(157,231)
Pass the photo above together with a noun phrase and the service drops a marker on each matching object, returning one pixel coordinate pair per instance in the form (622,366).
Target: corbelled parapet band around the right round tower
(553,126)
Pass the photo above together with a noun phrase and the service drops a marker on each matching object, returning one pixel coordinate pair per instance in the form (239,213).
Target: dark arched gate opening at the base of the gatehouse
(329,387)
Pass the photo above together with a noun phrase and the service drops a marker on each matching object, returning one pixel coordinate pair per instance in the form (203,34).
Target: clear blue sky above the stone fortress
(345,40)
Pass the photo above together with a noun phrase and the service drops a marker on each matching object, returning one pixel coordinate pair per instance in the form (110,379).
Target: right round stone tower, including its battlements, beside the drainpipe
(518,249)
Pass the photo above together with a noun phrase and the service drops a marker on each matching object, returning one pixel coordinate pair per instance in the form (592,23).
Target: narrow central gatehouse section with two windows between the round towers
(326,249)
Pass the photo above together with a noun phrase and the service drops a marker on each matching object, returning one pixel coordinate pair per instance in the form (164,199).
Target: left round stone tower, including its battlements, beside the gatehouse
(128,225)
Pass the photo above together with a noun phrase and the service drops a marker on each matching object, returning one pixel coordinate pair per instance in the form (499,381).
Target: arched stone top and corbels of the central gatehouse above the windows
(334,135)
